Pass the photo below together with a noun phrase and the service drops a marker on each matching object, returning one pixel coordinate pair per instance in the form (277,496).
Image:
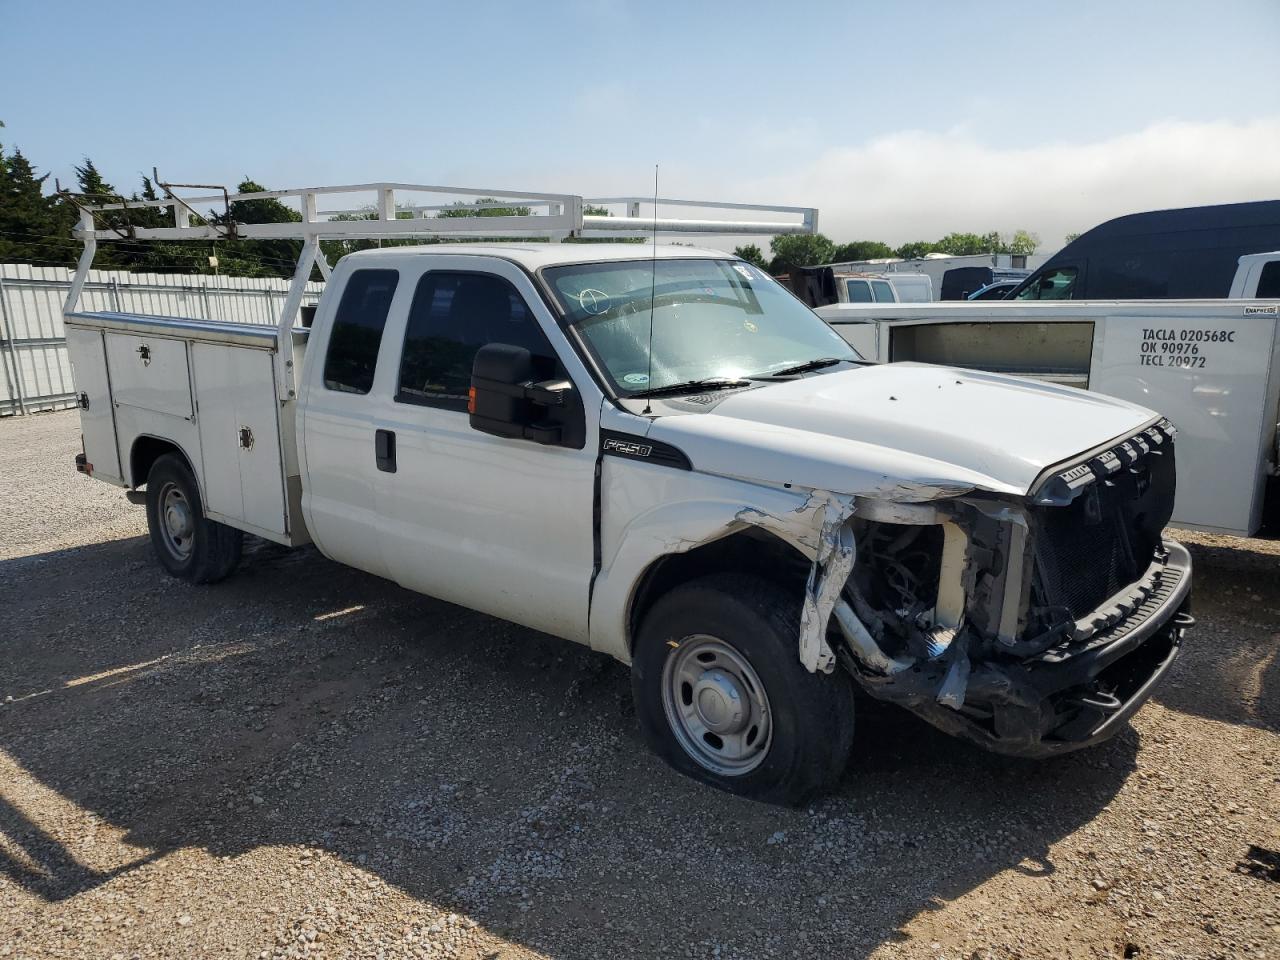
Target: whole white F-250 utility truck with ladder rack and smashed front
(657,451)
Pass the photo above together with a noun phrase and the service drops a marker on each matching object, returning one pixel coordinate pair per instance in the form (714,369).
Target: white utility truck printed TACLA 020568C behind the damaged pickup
(1213,367)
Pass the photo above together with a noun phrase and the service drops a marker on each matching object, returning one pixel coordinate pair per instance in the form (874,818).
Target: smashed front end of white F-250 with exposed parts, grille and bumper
(1030,628)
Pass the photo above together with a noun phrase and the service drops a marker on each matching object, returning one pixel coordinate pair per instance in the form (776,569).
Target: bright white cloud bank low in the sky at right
(920,185)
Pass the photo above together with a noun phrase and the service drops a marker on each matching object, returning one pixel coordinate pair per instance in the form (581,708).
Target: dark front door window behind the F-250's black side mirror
(452,317)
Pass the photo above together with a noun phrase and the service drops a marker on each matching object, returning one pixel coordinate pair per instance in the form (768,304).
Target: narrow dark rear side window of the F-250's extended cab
(358,331)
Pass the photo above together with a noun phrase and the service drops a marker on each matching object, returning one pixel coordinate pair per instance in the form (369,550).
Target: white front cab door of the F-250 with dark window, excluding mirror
(497,524)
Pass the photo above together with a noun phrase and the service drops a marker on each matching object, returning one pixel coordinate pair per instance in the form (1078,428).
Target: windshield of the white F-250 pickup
(711,319)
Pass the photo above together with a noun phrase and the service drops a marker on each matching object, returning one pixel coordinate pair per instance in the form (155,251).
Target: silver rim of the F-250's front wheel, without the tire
(716,706)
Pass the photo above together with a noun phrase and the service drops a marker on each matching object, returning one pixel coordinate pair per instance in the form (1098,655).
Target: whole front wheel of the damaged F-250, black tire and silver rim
(723,697)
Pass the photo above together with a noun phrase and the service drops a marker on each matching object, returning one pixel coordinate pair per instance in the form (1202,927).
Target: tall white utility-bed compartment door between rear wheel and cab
(240,437)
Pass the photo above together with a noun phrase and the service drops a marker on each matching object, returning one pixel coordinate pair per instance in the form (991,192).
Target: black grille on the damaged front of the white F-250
(1104,541)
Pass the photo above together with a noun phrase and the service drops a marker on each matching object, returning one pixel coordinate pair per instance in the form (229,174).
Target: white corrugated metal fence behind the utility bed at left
(36,371)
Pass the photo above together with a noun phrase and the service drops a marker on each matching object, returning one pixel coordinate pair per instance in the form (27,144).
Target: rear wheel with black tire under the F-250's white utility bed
(200,551)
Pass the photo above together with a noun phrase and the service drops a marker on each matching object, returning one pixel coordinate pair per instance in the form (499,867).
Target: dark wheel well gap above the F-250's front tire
(752,551)
